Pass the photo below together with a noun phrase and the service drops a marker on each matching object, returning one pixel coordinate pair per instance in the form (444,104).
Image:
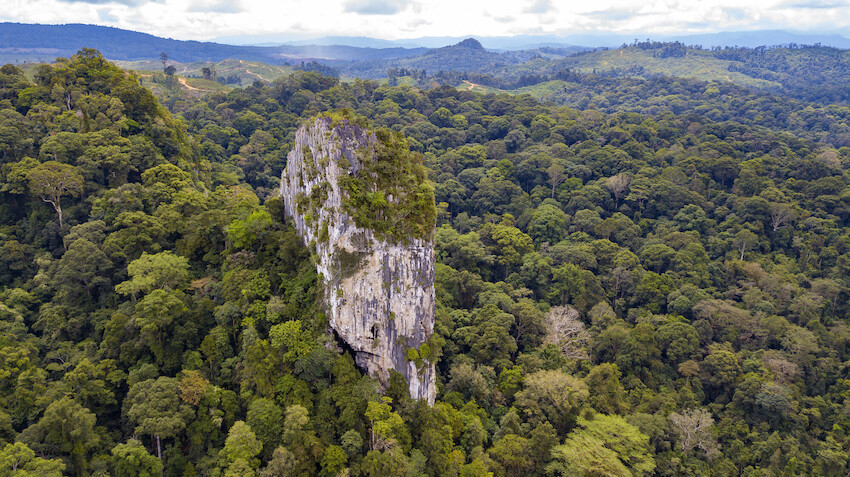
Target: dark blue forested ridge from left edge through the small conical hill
(24,42)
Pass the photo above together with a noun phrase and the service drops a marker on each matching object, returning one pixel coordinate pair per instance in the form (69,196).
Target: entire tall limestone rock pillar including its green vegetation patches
(361,199)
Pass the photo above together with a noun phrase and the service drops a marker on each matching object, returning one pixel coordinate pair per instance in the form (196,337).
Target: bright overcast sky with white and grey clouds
(397,19)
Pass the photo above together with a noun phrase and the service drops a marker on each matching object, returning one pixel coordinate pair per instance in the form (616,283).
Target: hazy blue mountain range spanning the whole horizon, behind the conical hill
(22,42)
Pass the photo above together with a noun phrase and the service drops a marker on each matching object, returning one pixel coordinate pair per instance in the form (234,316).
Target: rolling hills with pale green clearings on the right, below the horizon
(804,72)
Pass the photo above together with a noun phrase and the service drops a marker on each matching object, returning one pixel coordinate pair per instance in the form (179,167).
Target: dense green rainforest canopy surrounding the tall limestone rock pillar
(623,293)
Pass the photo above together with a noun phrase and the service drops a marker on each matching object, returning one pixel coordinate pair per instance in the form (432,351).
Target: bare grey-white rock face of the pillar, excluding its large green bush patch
(379,294)
